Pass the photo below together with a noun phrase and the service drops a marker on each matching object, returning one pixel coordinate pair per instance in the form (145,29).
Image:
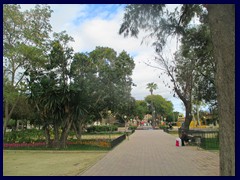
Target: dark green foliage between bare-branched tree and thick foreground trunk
(197,45)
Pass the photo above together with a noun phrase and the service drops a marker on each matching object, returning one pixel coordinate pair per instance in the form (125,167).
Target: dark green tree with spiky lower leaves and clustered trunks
(51,93)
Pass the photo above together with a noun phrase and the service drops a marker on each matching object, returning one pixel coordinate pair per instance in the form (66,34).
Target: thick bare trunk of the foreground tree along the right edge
(222,26)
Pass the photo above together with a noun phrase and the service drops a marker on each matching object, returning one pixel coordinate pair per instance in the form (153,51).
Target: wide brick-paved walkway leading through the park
(153,153)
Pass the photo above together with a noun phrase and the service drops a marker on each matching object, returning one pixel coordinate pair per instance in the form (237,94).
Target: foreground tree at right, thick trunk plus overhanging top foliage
(222,24)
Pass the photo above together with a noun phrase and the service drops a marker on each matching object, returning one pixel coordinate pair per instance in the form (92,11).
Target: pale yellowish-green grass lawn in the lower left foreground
(48,163)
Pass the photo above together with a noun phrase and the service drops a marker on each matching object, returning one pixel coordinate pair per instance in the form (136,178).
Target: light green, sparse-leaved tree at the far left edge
(24,36)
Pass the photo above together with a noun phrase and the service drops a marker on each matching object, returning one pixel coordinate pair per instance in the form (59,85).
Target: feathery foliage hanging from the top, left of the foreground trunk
(157,21)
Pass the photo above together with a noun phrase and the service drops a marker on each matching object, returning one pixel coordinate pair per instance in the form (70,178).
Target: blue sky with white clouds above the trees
(94,25)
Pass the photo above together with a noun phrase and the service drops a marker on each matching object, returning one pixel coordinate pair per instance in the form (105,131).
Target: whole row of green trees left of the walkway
(64,89)
